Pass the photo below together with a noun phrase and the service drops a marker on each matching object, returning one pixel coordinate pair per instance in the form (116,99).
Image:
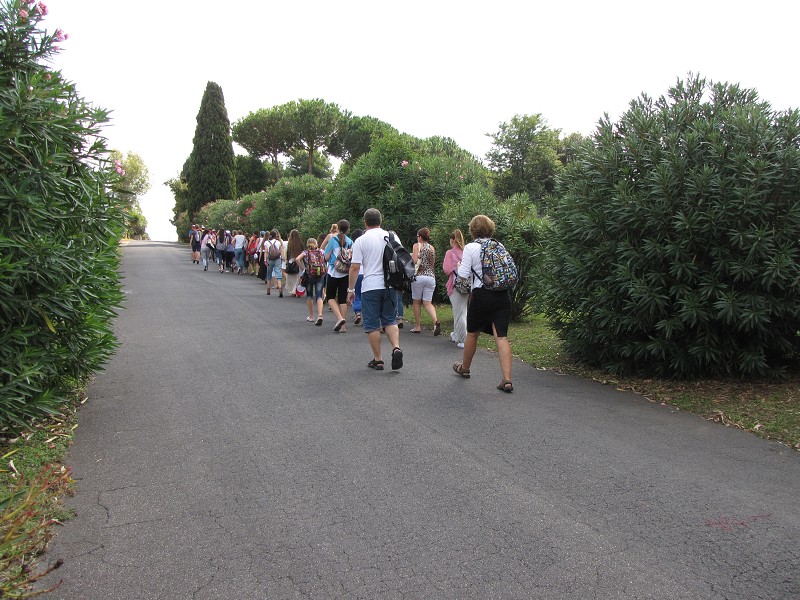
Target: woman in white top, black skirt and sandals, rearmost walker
(489,311)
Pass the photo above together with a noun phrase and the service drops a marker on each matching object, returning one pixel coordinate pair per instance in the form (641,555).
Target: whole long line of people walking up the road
(347,271)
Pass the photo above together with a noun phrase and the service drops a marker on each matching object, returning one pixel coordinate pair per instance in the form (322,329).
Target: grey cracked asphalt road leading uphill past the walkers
(232,450)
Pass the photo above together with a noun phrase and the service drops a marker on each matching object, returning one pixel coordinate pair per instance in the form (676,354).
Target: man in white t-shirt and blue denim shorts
(377,301)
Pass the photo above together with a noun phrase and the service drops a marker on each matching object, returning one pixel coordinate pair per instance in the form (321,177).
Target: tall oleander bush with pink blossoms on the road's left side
(59,228)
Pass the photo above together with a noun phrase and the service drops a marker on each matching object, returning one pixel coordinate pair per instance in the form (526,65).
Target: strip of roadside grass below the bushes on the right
(767,408)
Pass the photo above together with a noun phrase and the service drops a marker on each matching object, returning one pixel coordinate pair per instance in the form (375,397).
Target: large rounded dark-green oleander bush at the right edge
(674,250)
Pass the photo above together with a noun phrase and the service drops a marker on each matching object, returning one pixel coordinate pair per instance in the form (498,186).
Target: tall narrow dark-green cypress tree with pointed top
(211,173)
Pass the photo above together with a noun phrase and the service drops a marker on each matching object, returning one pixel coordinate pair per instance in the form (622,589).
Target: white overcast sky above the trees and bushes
(436,67)
